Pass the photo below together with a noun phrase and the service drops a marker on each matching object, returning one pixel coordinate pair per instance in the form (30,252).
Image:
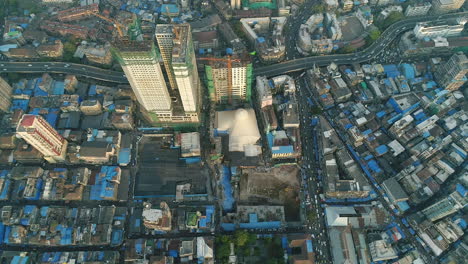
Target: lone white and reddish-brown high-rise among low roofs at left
(42,136)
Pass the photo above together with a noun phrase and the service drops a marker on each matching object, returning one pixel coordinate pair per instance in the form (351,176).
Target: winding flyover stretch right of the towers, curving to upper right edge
(377,47)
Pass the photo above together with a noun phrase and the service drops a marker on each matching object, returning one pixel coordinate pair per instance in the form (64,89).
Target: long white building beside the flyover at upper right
(426,30)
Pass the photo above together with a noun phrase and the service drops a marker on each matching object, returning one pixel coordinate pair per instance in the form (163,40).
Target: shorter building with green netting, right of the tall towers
(218,80)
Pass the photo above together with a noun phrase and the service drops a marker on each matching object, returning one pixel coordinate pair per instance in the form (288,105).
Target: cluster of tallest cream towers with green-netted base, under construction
(141,63)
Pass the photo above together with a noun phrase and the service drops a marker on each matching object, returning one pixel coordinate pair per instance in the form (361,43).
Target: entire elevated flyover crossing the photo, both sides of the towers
(272,70)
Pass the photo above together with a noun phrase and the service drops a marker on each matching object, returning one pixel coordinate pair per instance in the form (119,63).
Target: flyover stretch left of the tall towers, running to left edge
(65,68)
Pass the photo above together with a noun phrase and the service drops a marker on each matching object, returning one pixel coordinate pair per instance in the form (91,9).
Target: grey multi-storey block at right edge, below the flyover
(452,74)
